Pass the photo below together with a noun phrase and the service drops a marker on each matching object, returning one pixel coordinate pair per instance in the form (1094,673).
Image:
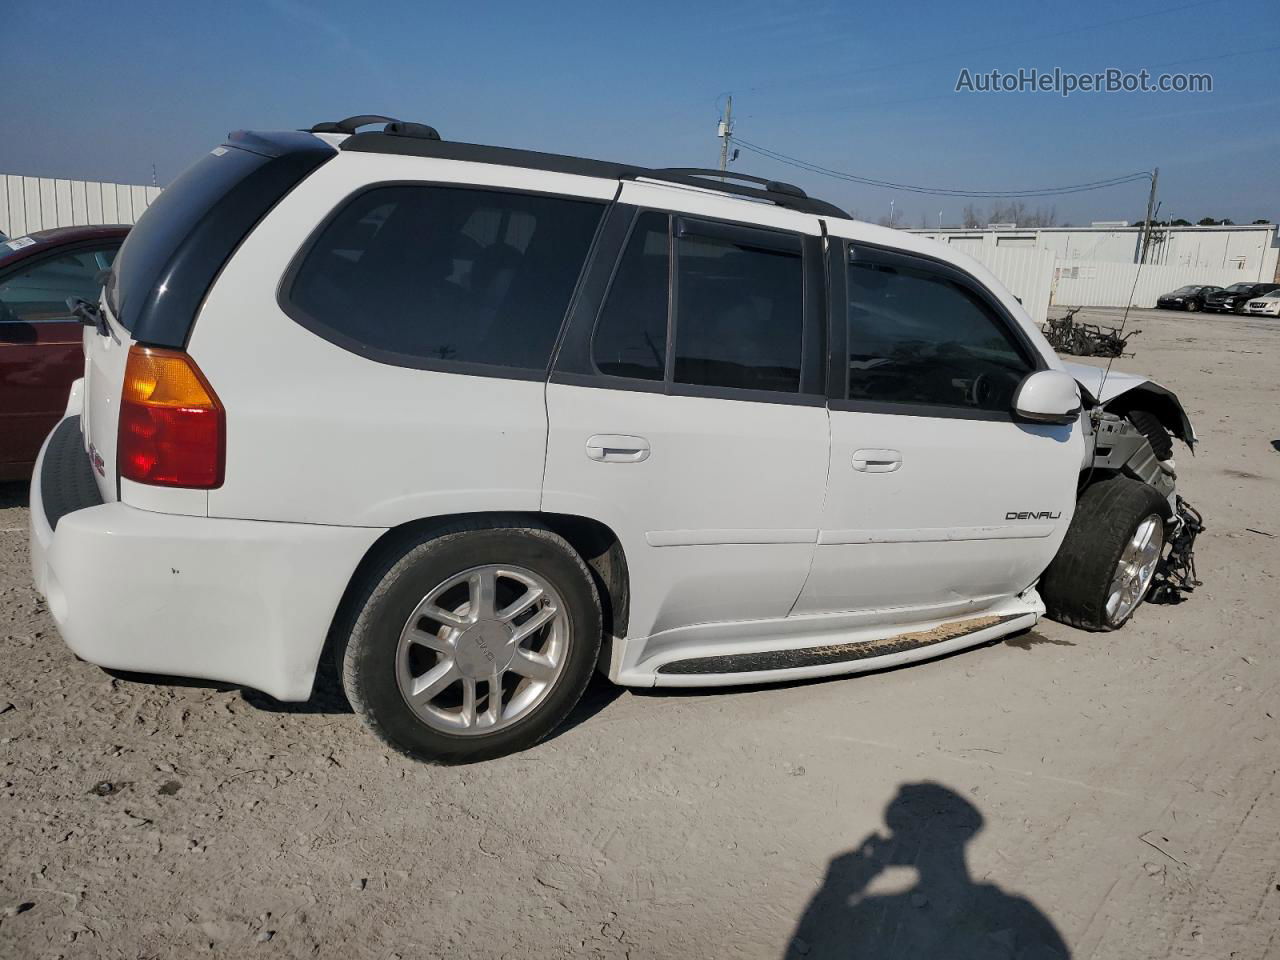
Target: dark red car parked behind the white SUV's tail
(40,339)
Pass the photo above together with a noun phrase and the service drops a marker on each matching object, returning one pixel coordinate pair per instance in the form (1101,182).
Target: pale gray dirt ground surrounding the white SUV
(1127,783)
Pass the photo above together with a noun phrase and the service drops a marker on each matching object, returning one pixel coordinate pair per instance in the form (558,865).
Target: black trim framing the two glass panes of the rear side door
(575,363)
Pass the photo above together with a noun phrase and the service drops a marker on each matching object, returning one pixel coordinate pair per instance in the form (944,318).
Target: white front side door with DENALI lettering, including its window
(939,500)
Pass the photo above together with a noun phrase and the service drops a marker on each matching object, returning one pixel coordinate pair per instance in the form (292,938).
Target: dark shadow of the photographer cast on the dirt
(945,915)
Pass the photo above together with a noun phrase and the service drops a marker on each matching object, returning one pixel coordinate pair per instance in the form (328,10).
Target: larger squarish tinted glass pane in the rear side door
(739,316)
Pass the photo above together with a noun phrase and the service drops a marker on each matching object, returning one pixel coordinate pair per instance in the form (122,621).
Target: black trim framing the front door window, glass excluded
(842,255)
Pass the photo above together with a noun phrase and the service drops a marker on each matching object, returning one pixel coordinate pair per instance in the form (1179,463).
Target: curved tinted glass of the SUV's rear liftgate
(173,216)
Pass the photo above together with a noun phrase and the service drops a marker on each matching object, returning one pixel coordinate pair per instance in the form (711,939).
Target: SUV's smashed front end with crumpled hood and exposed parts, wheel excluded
(1132,426)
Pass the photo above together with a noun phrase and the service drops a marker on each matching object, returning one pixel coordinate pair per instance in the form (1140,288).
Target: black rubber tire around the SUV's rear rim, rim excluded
(367,638)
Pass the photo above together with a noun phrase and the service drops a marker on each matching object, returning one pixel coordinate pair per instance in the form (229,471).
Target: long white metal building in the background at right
(1249,253)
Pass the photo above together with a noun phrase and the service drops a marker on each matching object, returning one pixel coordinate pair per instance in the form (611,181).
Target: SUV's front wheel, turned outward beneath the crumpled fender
(1109,559)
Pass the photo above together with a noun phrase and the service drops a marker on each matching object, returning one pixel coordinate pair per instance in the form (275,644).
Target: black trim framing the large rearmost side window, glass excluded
(412,362)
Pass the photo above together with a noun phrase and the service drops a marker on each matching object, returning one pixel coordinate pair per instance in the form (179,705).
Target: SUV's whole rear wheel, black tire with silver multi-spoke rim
(473,643)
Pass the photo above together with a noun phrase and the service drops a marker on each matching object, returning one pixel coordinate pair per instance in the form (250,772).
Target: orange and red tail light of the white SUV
(173,431)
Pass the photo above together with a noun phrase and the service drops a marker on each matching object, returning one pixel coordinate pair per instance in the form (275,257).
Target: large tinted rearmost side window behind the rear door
(422,276)
